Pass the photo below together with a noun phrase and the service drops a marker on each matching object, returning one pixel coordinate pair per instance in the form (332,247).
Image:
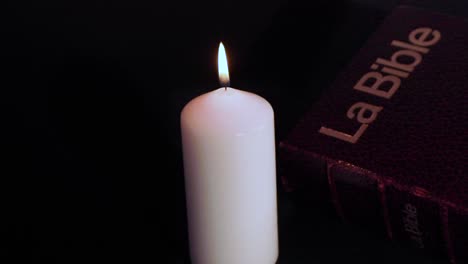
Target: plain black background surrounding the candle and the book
(90,97)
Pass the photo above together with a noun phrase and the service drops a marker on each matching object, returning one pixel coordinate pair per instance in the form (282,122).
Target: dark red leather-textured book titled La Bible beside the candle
(387,142)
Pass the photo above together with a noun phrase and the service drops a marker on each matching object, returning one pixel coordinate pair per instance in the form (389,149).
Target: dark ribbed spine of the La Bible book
(408,215)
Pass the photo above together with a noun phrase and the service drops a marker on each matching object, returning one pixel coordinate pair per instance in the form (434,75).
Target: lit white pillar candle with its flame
(230,176)
